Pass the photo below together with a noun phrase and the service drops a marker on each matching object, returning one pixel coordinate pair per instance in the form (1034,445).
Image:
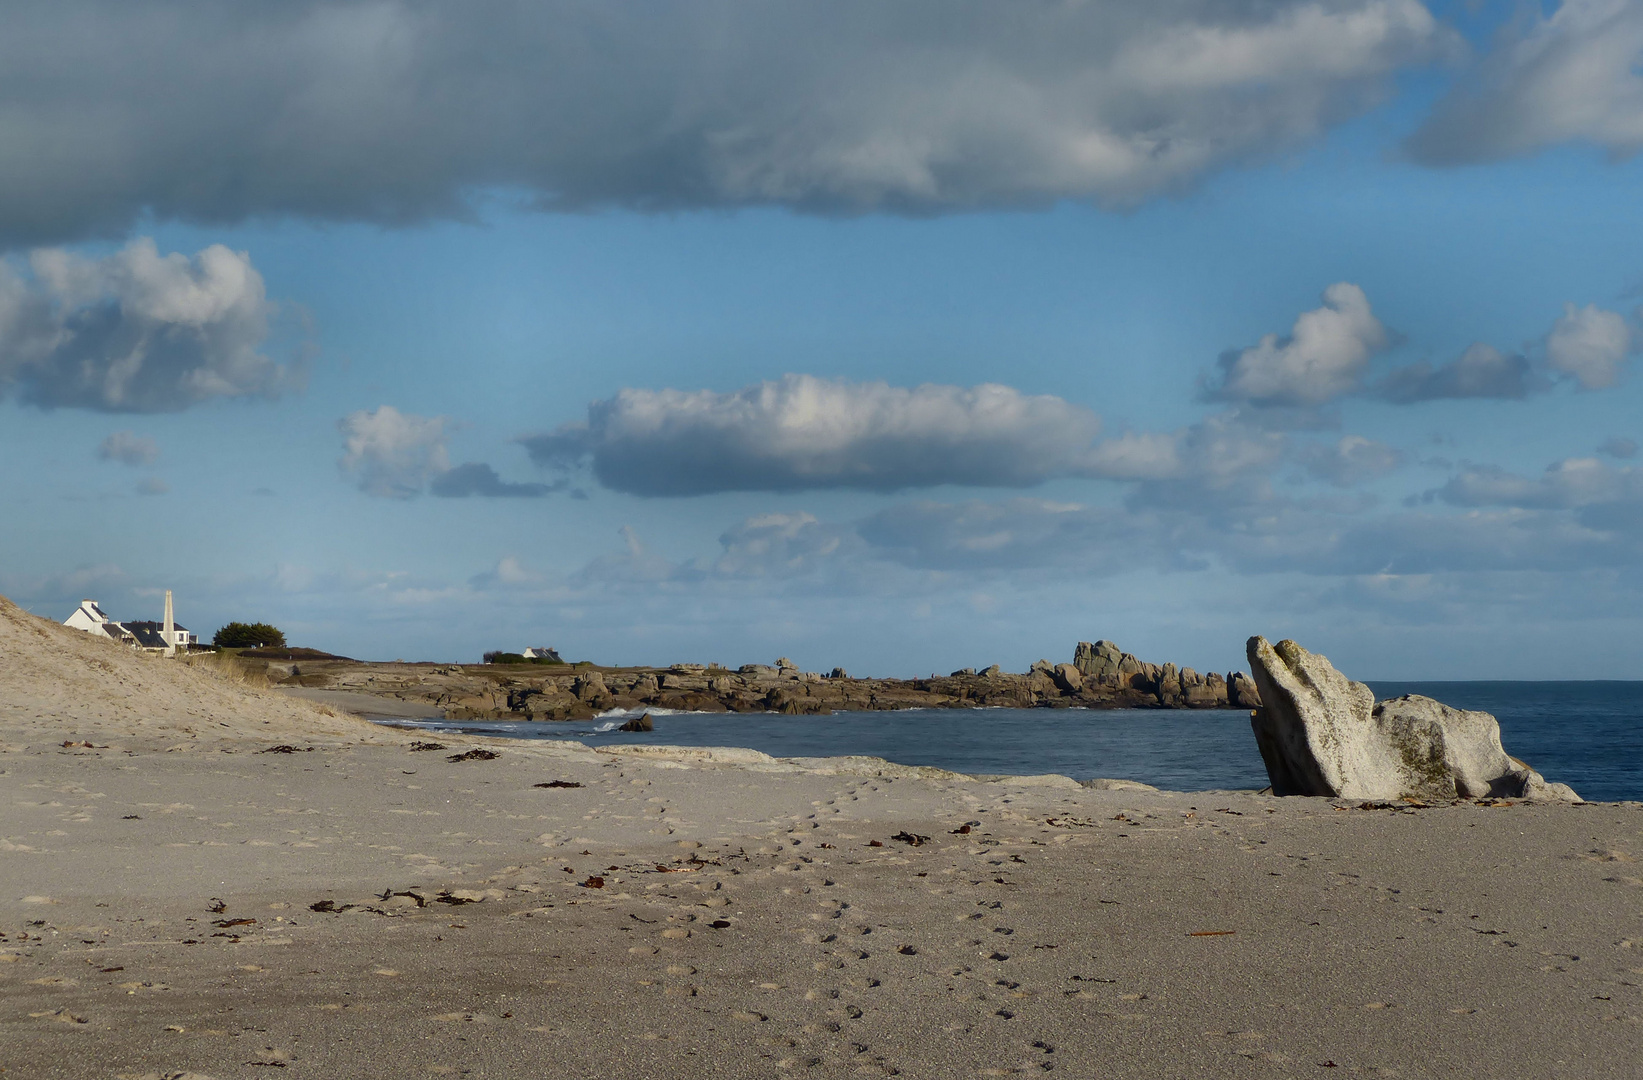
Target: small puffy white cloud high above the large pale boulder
(1322,359)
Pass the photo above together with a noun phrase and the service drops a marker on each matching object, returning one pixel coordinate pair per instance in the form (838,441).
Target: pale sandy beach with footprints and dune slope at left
(175,902)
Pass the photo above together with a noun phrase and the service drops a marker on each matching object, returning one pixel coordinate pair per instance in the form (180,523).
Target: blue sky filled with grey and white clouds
(900,338)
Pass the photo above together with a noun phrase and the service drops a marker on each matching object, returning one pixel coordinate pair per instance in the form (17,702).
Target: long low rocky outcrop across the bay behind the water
(1102,676)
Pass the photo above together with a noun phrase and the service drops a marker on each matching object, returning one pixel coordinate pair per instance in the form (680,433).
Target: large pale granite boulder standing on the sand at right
(1323,734)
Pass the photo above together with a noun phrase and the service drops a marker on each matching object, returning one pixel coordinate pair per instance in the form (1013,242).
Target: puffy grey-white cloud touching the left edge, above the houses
(136,331)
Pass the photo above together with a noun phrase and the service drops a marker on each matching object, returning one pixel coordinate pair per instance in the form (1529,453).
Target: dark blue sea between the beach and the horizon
(1588,736)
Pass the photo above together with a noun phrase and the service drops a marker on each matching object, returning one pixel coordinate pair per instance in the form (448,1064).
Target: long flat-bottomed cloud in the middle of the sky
(803,433)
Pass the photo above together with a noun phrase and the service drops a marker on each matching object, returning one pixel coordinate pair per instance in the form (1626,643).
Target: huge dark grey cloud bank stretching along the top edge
(397,111)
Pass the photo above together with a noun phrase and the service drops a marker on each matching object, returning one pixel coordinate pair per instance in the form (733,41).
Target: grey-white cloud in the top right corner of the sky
(1573,76)
